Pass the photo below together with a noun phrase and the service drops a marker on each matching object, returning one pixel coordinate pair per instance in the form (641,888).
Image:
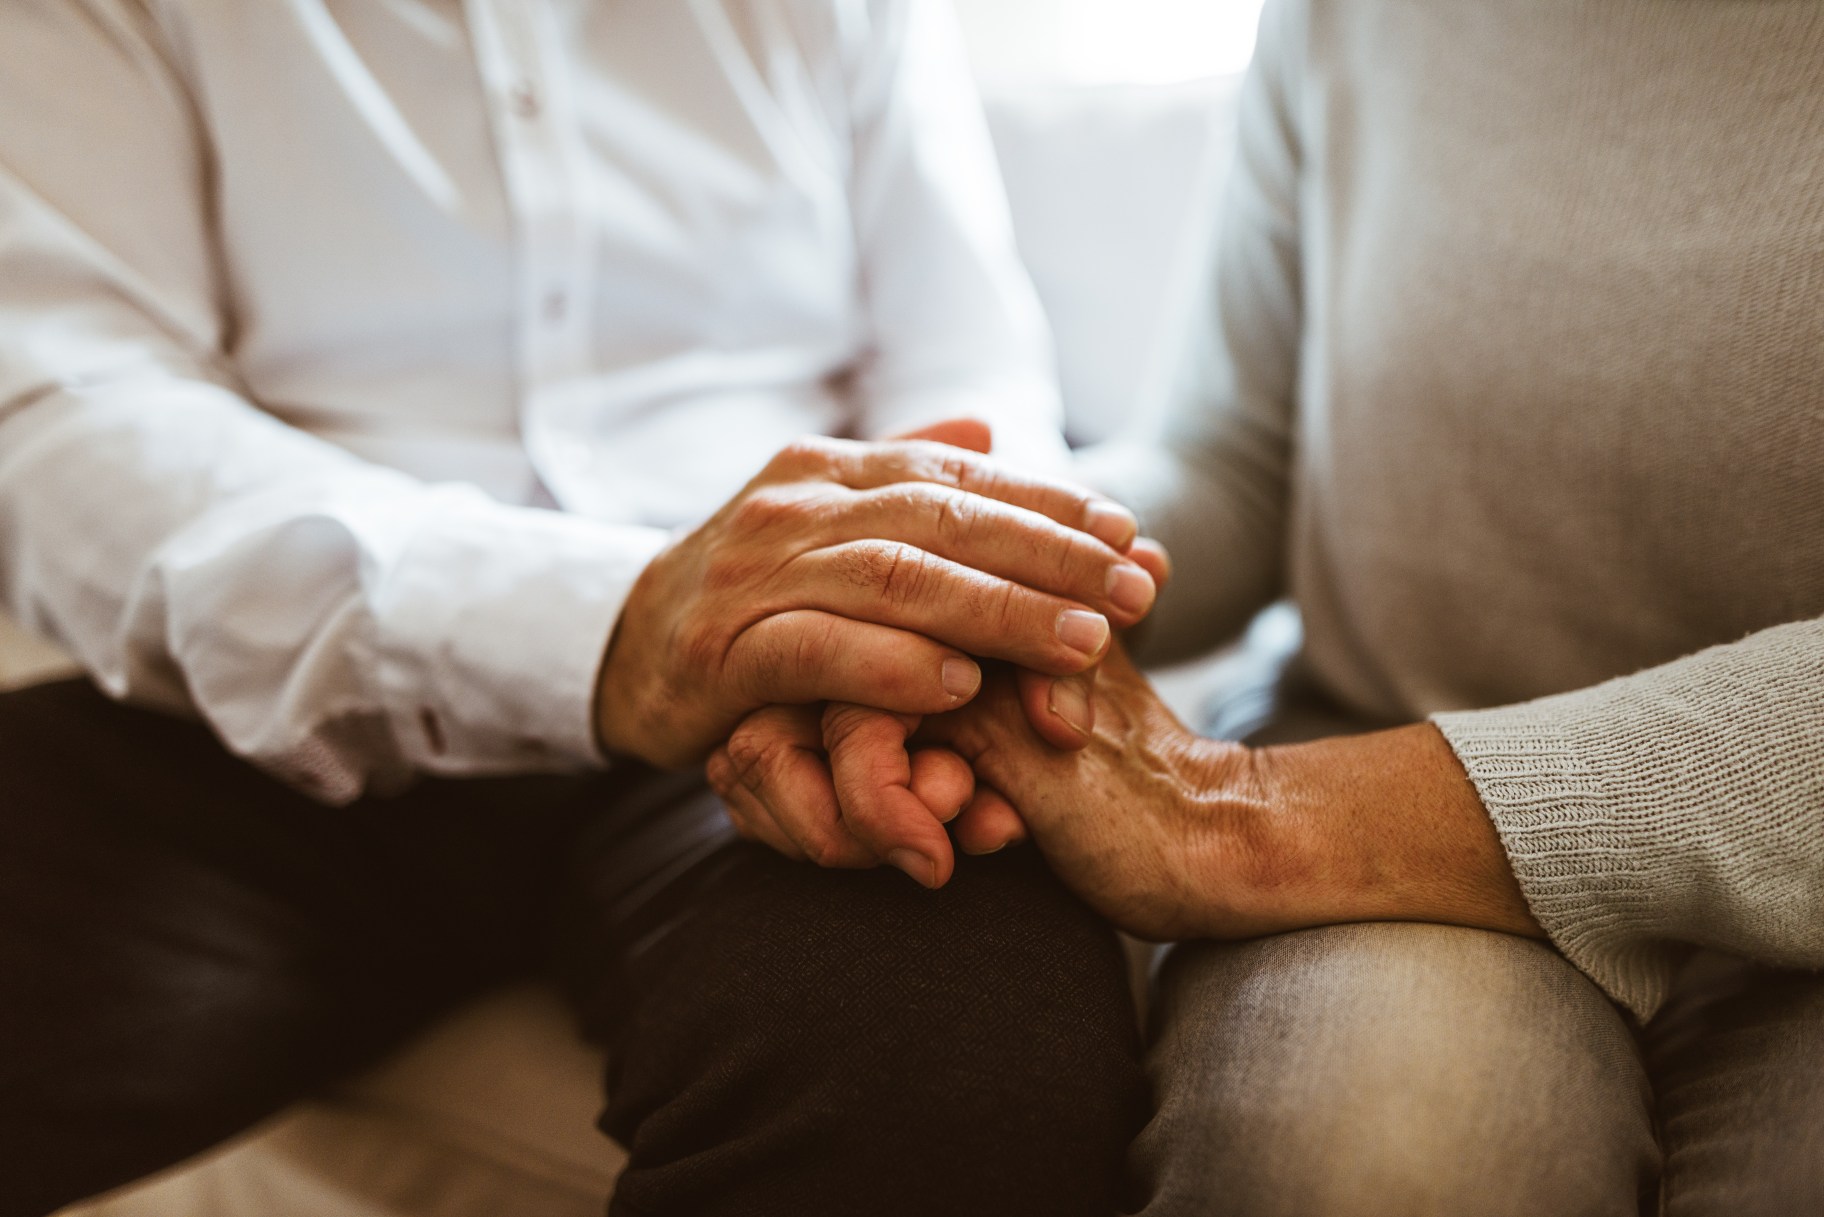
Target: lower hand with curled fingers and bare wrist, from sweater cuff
(1165,833)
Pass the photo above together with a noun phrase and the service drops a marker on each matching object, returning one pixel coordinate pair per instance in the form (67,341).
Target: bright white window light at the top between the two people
(1110,41)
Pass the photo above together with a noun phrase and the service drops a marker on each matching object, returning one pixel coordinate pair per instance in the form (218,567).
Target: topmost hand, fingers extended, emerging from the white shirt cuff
(864,574)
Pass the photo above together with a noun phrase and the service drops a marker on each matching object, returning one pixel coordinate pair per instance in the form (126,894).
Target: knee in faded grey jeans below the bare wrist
(1378,1070)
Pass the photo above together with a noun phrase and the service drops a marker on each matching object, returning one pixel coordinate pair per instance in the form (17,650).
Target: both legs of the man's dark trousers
(196,946)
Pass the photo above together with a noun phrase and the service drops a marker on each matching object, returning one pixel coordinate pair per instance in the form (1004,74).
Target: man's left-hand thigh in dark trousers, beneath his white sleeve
(194,946)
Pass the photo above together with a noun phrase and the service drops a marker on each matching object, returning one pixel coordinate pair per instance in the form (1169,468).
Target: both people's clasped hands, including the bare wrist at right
(816,647)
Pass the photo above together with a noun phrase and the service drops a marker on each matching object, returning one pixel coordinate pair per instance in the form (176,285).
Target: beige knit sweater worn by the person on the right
(1511,373)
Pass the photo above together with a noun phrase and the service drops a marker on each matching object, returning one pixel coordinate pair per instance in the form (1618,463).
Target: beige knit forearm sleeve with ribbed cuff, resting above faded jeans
(1679,807)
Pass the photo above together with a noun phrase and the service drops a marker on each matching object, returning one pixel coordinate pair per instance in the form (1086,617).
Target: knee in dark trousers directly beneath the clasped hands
(986,1028)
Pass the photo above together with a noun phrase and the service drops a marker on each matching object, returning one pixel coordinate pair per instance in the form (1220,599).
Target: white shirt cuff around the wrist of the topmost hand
(493,627)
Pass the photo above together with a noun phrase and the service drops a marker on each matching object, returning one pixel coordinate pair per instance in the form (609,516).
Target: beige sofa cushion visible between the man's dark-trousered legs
(490,1112)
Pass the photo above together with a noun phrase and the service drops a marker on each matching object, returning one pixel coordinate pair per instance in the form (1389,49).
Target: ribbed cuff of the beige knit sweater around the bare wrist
(1586,862)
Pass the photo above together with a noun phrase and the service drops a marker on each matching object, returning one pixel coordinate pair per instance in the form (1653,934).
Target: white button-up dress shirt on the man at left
(311,311)
